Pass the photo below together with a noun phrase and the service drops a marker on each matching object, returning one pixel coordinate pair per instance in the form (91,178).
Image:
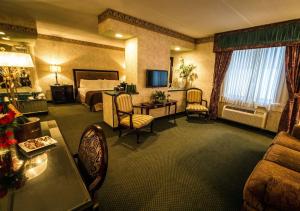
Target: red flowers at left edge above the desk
(7,123)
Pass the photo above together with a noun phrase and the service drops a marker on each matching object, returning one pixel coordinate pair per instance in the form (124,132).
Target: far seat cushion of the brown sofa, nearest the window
(286,140)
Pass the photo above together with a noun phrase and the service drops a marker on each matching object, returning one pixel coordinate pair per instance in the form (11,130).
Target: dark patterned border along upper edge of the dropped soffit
(119,16)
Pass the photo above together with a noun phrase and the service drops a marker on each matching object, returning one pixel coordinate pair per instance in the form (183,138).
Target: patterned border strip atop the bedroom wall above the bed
(79,42)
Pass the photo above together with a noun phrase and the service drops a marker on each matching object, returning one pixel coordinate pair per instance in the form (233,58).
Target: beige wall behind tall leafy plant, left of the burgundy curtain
(204,59)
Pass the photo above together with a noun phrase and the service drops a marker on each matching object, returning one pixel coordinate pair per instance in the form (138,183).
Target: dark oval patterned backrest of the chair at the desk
(93,157)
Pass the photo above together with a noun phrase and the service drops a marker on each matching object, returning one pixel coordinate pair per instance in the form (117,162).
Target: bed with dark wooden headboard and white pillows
(89,85)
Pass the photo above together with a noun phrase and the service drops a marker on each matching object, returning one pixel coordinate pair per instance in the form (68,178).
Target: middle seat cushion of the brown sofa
(284,156)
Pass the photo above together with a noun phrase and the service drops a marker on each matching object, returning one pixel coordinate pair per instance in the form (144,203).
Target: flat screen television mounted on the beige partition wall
(156,78)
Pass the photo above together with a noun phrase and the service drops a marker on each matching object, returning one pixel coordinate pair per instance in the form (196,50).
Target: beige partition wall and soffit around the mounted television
(153,52)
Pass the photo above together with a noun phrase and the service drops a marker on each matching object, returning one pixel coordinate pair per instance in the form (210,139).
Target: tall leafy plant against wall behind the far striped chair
(185,73)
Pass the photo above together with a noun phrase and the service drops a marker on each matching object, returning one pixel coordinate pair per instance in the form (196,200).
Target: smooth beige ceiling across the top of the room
(196,18)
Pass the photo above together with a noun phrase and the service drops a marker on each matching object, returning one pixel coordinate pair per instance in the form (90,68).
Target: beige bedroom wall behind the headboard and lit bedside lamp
(72,56)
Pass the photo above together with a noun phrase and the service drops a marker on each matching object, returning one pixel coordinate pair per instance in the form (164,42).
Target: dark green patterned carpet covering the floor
(190,165)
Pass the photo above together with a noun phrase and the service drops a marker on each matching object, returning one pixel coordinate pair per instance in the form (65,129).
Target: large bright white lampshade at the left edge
(14,59)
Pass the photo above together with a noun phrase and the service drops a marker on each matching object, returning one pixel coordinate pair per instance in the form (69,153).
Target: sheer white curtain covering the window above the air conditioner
(255,77)
